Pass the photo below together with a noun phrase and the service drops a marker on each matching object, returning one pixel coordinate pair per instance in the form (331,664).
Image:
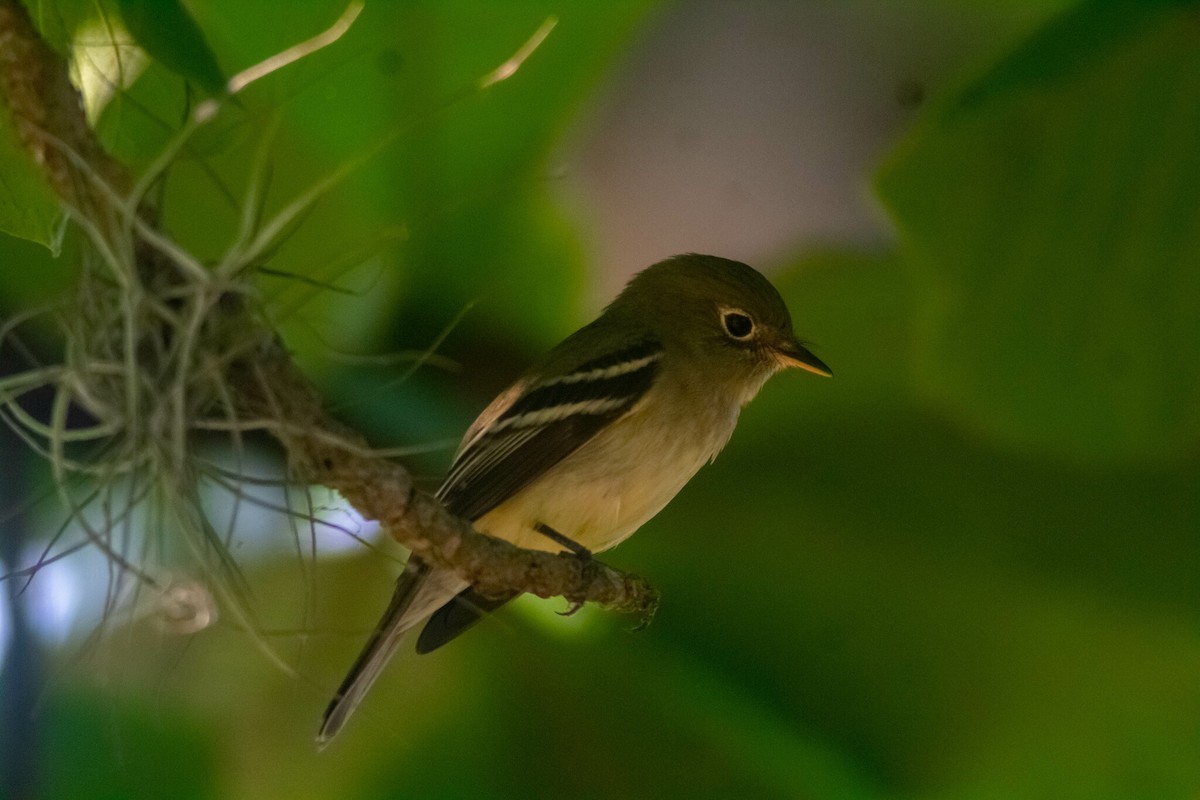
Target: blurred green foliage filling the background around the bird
(967,568)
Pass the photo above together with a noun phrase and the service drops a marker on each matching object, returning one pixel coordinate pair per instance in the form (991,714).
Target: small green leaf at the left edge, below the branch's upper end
(28,207)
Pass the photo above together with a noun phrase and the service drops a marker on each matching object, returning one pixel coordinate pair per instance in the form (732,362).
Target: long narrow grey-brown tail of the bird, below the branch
(401,615)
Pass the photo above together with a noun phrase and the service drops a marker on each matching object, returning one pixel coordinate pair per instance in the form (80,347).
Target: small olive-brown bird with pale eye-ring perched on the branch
(597,438)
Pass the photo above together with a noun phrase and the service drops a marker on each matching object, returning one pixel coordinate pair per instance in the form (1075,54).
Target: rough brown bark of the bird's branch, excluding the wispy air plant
(263,380)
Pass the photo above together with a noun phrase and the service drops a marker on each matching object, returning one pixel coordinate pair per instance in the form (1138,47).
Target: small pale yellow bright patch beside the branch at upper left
(106,61)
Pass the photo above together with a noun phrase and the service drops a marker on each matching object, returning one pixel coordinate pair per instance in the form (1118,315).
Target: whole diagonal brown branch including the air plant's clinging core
(254,376)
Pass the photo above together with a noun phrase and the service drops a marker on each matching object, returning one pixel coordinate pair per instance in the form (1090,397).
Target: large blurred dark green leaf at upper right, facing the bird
(1052,215)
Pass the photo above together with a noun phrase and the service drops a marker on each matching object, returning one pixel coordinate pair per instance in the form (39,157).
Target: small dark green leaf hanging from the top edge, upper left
(171,37)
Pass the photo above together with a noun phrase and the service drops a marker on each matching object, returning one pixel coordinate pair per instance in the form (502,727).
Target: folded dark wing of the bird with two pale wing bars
(541,422)
